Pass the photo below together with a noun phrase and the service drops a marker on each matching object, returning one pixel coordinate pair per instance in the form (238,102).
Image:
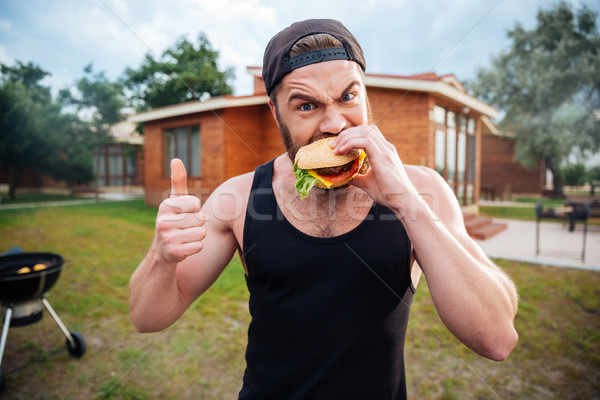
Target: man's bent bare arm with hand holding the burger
(474,298)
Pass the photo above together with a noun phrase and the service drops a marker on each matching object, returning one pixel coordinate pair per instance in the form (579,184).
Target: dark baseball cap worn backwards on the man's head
(277,62)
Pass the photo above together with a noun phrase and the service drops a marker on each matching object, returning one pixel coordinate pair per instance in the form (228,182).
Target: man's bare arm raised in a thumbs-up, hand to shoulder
(186,257)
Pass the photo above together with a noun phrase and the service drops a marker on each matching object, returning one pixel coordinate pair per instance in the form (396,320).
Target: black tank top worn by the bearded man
(329,315)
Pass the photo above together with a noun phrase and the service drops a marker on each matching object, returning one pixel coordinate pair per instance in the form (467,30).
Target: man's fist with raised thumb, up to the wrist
(179,223)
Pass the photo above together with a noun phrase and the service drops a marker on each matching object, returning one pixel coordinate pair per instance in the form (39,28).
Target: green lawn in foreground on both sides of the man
(202,355)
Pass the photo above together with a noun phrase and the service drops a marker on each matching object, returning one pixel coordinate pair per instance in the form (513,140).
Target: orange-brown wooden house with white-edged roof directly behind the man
(431,119)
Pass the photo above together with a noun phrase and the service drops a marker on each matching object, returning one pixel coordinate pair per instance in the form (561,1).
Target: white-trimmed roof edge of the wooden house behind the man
(446,86)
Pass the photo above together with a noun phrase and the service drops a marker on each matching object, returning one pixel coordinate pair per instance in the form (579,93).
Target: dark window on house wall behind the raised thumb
(183,143)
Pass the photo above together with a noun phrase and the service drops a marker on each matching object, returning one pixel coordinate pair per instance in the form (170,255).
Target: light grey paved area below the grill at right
(558,246)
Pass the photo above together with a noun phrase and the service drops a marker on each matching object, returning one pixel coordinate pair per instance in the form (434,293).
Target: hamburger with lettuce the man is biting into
(316,164)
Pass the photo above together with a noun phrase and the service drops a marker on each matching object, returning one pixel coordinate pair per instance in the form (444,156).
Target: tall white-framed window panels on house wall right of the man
(455,151)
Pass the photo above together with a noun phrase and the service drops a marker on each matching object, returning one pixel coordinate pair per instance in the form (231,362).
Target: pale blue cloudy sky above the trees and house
(399,37)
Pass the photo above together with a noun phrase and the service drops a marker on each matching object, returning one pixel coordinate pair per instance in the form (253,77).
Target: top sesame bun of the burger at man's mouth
(320,154)
